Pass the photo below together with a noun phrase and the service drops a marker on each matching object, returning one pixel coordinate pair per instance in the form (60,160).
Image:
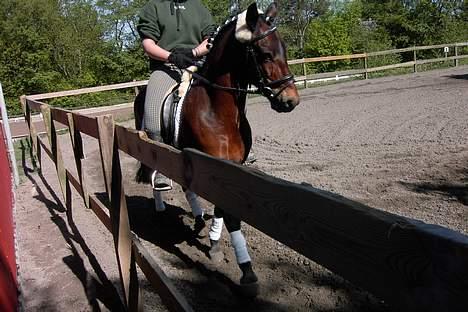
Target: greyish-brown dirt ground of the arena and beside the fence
(399,144)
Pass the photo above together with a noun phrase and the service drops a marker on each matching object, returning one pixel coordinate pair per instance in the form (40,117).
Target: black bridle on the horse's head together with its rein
(264,86)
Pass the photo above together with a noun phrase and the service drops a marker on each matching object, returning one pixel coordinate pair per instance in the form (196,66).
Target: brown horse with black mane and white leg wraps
(247,50)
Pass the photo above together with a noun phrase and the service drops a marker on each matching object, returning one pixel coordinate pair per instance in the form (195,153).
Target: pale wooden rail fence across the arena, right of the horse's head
(366,70)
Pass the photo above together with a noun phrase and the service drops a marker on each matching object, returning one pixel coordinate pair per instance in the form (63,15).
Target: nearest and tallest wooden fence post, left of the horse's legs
(118,212)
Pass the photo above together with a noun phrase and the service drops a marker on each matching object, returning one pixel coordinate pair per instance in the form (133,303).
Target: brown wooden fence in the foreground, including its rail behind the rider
(411,265)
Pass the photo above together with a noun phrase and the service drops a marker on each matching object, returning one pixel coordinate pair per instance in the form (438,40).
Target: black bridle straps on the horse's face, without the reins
(265,87)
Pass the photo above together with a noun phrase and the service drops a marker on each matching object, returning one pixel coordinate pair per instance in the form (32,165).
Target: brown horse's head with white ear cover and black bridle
(267,57)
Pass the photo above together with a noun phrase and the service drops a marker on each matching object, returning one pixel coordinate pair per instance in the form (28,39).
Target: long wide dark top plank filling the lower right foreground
(412,265)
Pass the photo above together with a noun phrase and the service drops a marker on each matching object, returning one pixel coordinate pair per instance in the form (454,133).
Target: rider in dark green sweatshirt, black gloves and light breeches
(174,34)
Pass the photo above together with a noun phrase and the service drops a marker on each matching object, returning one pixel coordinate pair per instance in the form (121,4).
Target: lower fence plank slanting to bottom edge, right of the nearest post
(170,296)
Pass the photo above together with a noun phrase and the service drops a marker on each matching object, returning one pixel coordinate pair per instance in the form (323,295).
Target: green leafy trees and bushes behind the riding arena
(48,46)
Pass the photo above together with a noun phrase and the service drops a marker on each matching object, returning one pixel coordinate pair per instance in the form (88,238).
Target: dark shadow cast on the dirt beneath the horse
(167,230)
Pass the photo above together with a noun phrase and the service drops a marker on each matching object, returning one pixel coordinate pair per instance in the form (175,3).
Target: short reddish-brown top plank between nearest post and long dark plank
(155,155)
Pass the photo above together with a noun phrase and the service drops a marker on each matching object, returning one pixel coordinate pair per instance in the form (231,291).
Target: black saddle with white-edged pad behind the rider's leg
(171,109)
